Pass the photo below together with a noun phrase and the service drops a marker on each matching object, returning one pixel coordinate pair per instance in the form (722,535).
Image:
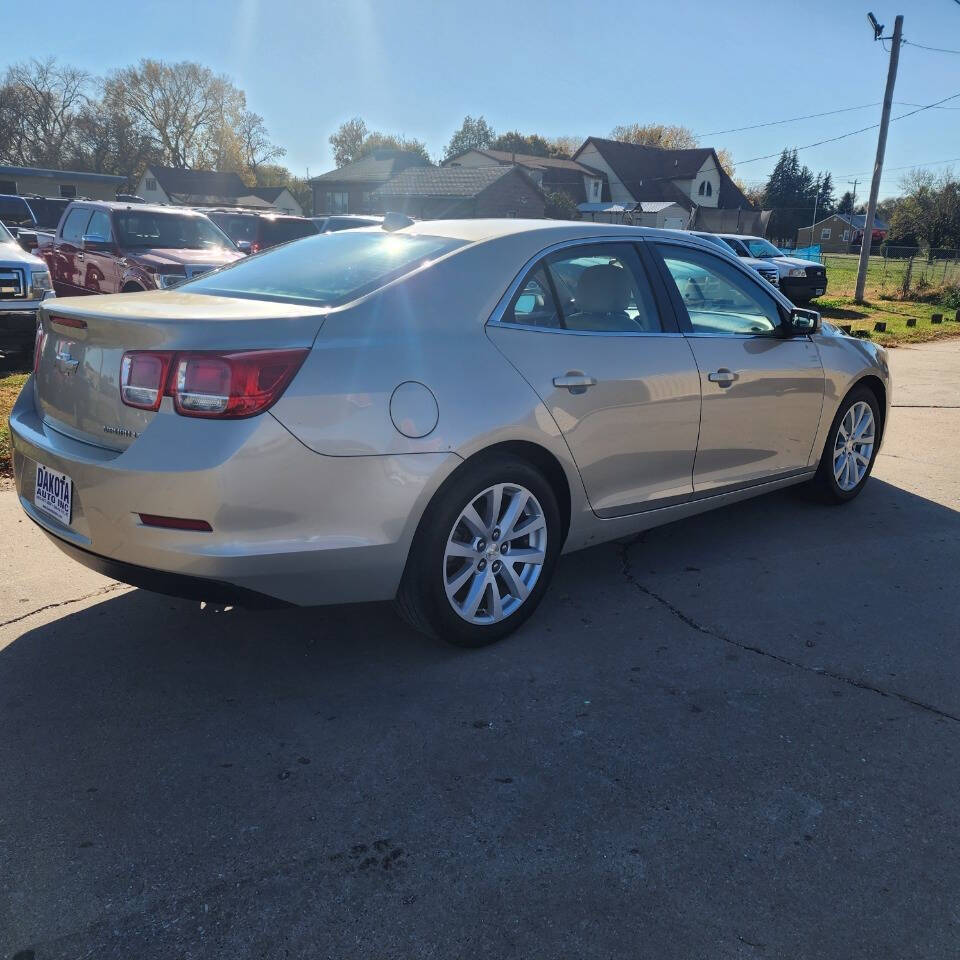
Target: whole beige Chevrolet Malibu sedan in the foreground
(430,414)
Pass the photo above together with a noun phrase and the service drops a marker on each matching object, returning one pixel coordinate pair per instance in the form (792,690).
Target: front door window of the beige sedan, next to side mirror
(719,299)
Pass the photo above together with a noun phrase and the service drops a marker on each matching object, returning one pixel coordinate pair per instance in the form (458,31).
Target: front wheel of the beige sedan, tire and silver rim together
(850,449)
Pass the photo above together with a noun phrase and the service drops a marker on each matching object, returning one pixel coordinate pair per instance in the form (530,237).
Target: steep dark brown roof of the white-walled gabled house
(648,172)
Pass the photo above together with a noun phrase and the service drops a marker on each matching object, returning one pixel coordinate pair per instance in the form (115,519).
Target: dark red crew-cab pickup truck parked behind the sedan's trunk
(107,247)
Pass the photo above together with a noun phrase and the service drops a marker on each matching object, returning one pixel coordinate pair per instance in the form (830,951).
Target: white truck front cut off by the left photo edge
(24,284)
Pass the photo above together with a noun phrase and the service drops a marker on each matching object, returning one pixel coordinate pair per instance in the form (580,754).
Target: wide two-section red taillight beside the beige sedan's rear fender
(231,385)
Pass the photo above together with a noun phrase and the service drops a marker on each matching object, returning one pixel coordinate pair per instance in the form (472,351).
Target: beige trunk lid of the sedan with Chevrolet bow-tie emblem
(77,382)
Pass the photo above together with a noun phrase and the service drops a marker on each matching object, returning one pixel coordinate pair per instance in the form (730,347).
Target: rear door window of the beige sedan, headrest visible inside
(598,288)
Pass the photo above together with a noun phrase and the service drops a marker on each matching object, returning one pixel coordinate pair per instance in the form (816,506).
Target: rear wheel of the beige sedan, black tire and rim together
(483,554)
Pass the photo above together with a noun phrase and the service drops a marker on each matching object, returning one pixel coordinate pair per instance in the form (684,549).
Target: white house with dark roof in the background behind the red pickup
(209,188)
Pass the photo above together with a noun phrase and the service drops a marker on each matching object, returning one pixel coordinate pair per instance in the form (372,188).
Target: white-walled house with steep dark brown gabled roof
(690,178)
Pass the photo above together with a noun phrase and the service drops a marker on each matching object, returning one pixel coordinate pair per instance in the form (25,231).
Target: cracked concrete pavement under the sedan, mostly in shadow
(734,737)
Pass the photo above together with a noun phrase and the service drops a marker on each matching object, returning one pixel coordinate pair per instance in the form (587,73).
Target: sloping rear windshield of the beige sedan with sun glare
(327,269)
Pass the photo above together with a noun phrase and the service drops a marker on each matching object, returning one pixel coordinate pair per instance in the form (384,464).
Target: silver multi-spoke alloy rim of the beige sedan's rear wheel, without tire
(495,553)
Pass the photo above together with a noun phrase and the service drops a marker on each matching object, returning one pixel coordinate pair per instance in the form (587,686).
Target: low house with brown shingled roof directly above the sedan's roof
(432,193)
